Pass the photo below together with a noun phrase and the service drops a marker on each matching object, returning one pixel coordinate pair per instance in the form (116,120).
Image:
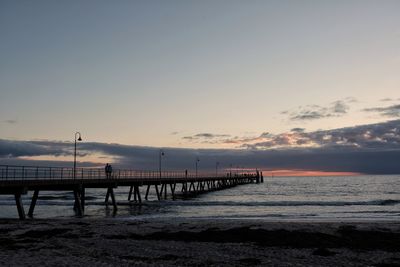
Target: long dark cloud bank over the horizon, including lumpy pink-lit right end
(371,149)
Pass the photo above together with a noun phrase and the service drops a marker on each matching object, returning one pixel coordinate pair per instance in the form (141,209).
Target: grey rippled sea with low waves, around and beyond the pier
(356,198)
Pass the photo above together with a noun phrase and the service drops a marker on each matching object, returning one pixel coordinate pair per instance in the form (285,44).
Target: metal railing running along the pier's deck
(15,173)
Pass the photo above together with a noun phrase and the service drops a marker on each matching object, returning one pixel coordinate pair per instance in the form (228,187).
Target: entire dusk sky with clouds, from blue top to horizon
(285,86)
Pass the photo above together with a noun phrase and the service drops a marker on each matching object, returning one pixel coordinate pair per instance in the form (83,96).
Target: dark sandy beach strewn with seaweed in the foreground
(190,242)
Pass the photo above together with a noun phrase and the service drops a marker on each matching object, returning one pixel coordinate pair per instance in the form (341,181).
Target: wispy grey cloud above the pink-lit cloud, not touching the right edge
(313,112)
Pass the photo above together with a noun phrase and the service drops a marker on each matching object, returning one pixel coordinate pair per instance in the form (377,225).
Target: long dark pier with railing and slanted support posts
(19,180)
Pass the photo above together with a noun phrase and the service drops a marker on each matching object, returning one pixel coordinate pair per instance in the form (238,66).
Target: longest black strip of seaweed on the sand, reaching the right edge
(345,237)
